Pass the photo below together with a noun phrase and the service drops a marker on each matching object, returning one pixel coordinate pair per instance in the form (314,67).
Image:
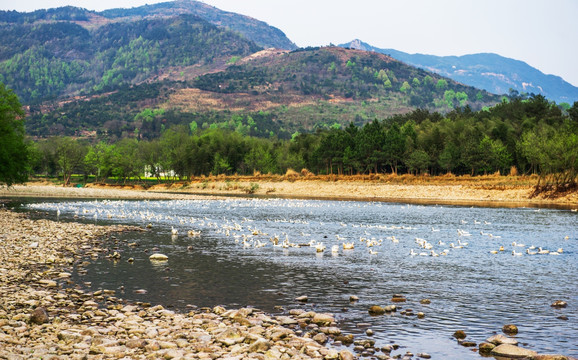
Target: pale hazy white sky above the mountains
(543,33)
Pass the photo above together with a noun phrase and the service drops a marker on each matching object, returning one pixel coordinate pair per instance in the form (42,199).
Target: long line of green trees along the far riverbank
(531,134)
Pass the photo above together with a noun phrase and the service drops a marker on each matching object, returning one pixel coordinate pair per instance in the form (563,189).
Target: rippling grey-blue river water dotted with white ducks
(234,263)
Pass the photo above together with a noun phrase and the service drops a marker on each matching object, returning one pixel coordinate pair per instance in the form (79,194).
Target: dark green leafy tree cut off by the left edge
(14,161)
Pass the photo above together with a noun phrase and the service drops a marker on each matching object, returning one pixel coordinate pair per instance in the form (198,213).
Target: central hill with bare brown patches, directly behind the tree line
(268,93)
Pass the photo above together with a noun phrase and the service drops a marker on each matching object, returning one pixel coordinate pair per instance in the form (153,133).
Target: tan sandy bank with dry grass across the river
(481,191)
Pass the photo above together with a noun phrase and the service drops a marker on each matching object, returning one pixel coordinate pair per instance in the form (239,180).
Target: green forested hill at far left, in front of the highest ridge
(43,59)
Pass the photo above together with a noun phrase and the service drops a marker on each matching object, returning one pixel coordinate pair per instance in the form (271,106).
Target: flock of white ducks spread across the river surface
(368,238)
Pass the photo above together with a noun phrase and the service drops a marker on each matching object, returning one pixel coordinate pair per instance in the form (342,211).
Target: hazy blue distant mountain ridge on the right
(487,71)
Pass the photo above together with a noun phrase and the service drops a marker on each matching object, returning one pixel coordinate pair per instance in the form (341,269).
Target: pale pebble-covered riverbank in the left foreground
(43,314)
